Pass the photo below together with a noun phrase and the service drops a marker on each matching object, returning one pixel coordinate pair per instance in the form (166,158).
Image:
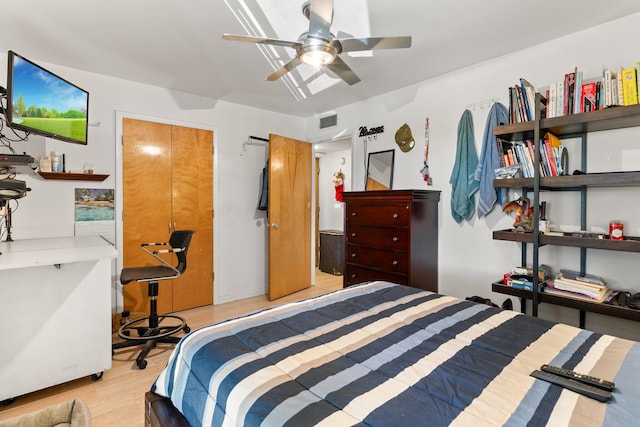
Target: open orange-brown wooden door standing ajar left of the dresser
(290,164)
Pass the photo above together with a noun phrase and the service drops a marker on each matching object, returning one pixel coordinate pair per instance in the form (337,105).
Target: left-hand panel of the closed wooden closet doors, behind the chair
(146,166)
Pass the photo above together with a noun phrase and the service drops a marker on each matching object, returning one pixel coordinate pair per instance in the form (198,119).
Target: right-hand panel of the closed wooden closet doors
(192,208)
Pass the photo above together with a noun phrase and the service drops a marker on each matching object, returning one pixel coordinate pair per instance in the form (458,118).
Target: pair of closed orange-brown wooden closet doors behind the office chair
(167,185)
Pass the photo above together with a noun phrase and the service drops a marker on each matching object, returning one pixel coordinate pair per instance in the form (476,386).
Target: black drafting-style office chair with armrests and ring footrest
(150,330)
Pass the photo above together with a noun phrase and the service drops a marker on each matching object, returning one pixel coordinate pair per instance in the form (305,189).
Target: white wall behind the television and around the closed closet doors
(239,233)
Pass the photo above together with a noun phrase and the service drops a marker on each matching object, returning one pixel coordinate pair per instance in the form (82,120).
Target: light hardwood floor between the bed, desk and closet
(118,398)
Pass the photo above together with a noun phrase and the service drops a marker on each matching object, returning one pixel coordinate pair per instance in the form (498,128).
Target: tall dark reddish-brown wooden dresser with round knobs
(393,236)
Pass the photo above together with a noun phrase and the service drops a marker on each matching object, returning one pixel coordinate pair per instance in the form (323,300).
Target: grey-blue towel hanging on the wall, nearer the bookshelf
(490,161)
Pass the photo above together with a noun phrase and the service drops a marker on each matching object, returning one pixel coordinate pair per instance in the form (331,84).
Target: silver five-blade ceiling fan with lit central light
(318,47)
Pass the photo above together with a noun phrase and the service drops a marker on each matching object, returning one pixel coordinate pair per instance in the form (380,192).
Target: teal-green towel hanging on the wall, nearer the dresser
(463,184)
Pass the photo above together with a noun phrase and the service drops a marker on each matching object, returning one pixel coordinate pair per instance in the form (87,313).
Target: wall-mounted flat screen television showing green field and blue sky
(43,103)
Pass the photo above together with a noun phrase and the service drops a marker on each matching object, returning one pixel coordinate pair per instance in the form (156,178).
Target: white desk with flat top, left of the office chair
(55,311)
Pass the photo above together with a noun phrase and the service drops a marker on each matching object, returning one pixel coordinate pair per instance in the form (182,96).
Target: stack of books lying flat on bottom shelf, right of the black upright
(574,284)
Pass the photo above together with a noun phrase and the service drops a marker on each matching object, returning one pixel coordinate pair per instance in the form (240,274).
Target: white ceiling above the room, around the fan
(178,44)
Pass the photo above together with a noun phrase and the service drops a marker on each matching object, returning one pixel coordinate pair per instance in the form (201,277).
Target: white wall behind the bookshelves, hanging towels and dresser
(469,259)
